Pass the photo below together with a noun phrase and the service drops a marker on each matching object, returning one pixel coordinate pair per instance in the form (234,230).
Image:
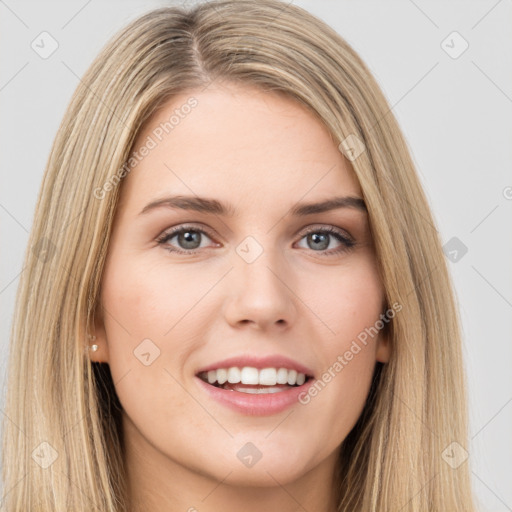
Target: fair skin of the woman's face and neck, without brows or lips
(262,153)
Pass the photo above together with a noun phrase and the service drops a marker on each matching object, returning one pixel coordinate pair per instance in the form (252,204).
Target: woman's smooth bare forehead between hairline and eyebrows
(240,144)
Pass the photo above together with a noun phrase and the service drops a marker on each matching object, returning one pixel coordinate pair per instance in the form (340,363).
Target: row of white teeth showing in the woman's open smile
(253,376)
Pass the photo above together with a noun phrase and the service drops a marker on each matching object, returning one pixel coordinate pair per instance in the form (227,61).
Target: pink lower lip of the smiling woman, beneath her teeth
(256,404)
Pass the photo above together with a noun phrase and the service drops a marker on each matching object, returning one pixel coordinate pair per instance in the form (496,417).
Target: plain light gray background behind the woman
(456,116)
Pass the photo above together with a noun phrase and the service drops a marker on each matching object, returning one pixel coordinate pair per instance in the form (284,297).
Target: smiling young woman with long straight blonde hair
(236,293)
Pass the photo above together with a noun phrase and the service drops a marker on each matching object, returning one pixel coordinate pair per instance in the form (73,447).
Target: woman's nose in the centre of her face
(260,293)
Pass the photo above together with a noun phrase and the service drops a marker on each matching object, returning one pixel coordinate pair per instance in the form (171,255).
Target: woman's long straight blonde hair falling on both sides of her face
(62,442)
